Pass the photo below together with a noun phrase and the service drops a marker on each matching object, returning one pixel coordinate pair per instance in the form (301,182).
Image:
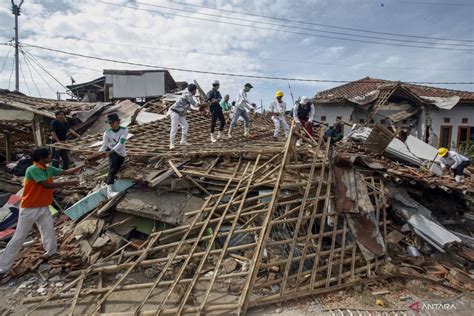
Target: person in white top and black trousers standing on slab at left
(113,146)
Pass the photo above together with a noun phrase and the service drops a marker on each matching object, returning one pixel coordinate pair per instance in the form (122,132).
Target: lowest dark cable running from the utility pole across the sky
(217,73)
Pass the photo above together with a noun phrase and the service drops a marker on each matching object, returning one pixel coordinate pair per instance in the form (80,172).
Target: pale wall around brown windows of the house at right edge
(455,116)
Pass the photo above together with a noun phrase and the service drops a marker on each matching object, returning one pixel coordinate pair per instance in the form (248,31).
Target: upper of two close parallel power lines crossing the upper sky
(318,24)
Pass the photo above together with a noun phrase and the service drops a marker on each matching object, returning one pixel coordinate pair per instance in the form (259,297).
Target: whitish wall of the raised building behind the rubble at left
(148,84)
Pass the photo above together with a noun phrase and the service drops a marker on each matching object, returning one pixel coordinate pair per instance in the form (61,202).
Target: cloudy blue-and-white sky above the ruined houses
(302,39)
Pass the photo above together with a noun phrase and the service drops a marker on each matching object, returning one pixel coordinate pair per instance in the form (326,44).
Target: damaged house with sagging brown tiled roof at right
(440,117)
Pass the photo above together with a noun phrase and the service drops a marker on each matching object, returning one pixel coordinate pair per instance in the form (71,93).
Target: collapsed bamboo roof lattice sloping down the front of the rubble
(275,217)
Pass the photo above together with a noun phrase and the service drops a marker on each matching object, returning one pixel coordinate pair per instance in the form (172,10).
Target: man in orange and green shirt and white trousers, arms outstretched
(34,206)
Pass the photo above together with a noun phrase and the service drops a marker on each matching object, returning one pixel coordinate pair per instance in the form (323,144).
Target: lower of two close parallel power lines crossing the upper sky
(288,31)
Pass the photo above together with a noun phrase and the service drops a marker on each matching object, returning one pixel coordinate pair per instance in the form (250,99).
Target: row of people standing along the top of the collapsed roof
(303,113)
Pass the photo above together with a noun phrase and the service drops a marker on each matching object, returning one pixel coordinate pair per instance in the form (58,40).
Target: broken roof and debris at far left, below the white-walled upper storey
(25,121)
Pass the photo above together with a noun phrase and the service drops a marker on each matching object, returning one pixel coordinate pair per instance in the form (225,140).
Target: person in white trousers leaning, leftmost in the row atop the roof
(177,113)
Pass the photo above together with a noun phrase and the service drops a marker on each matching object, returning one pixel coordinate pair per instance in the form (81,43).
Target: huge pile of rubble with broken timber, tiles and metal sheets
(244,222)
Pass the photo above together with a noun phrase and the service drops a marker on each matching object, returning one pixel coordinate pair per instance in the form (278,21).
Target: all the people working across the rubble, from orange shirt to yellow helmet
(38,187)
